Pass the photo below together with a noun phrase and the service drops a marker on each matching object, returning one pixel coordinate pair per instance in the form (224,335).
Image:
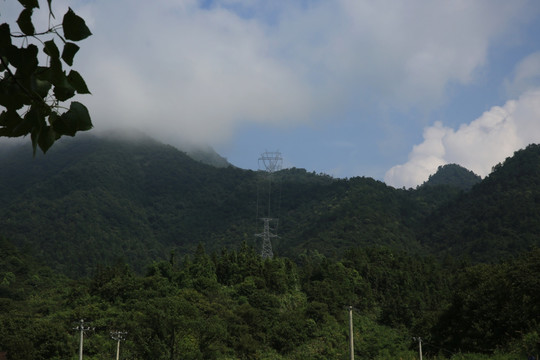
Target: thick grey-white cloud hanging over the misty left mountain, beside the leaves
(182,72)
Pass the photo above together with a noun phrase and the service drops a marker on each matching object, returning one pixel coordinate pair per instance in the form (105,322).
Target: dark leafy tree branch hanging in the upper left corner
(32,94)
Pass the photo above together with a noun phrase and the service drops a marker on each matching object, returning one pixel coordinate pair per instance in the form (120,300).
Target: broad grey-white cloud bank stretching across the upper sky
(198,74)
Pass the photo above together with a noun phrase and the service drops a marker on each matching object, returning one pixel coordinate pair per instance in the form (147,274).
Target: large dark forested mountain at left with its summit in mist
(94,199)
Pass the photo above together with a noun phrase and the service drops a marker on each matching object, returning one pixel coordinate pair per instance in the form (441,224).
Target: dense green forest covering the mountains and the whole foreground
(136,236)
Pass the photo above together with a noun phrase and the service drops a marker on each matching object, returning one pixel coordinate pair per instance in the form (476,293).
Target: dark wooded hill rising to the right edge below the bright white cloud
(498,218)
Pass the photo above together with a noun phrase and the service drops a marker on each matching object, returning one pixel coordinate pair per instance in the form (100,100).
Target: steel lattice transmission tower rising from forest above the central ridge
(269,163)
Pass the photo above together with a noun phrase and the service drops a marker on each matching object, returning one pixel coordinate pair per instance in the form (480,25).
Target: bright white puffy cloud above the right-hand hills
(477,146)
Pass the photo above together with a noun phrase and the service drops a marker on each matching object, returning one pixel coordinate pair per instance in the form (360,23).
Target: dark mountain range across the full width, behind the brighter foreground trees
(93,200)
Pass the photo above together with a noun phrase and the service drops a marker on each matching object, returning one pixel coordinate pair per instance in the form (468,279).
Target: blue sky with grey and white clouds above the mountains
(383,89)
